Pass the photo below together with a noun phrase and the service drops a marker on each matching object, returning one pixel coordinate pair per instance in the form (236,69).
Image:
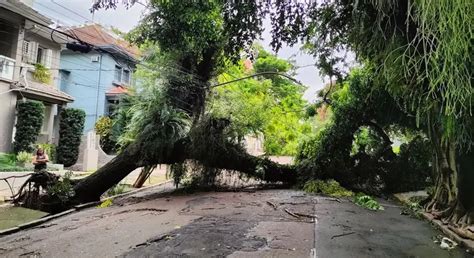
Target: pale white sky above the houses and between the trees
(76,12)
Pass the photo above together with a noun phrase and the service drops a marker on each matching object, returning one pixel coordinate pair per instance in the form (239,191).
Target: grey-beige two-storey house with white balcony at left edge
(27,43)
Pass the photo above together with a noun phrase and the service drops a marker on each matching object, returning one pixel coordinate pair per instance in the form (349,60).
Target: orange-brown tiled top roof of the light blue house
(97,35)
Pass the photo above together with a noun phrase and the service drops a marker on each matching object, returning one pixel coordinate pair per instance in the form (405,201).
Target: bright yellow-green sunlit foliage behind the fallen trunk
(270,105)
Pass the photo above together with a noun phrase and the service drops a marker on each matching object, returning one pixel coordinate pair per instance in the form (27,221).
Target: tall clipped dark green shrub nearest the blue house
(71,125)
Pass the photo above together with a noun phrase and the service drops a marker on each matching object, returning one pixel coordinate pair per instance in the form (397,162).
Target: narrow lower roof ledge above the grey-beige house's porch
(43,91)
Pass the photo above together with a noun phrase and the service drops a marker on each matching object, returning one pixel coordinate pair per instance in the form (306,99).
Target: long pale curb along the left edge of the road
(75,208)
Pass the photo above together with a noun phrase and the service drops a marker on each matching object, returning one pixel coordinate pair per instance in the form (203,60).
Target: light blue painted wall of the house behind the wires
(80,78)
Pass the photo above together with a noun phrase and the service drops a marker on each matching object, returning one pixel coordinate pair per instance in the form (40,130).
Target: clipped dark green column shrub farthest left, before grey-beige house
(29,121)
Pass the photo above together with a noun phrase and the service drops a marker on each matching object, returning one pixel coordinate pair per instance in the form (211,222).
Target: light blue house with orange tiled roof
(99,77)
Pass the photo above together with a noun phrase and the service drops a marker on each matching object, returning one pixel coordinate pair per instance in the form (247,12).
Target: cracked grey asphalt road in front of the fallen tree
(264,223)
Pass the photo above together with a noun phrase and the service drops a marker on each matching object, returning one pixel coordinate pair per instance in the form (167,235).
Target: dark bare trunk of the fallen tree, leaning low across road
(230,158)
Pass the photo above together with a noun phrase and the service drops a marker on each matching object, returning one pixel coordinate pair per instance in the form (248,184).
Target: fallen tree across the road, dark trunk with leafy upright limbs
(169,122)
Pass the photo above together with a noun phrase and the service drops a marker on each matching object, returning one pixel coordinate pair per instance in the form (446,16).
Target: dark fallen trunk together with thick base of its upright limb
(214,152)
